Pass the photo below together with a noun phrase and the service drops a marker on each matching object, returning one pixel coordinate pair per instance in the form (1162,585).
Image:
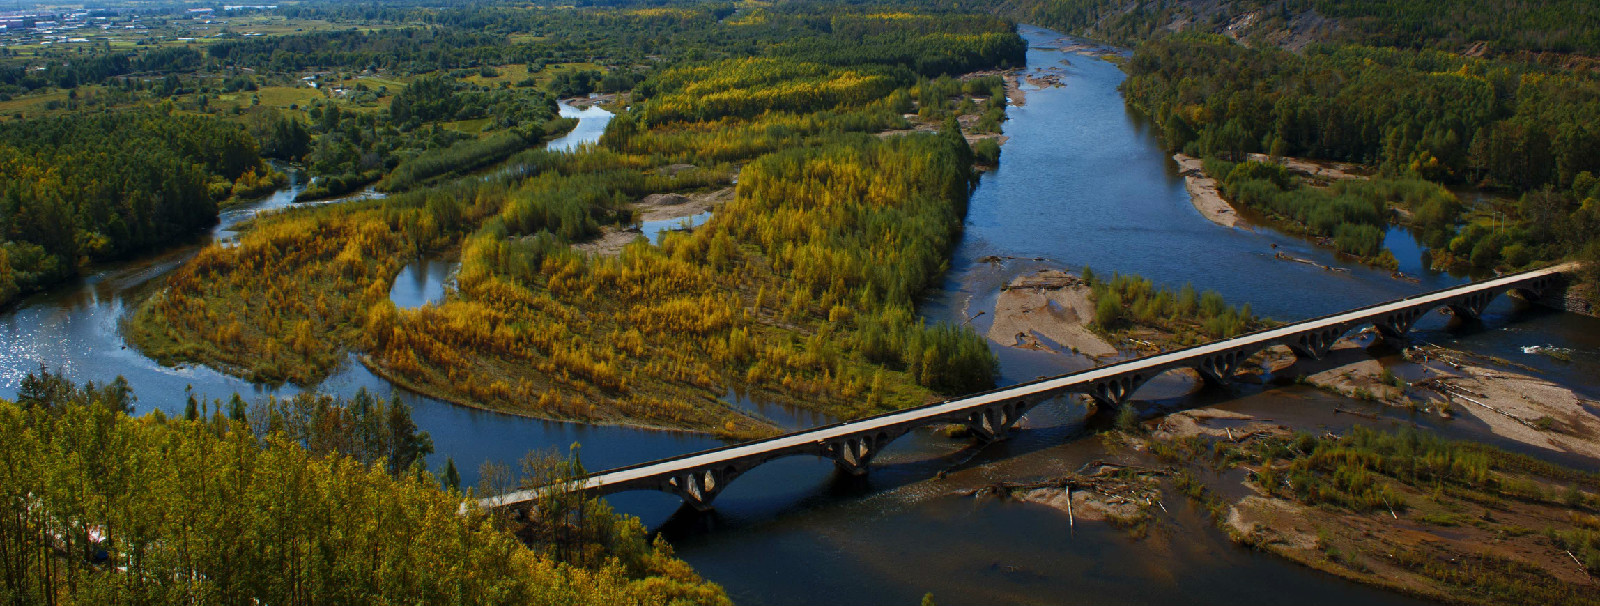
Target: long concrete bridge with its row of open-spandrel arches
(700,477)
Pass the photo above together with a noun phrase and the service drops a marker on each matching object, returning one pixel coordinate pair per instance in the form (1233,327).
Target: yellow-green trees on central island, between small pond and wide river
(801,289)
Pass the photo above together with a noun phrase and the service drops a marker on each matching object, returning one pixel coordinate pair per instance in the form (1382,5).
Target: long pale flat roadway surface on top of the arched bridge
(1042,388)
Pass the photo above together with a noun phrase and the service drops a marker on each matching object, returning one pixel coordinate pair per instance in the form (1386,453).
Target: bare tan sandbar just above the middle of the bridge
(1047,306)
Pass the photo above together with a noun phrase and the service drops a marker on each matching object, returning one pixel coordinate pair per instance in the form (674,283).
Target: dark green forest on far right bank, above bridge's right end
(1386,87)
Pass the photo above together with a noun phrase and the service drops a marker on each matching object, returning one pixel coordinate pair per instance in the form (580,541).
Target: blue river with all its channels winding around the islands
(1082,183)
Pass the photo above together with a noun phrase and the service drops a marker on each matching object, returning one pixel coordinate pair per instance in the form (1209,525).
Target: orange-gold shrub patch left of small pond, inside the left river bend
(284,305)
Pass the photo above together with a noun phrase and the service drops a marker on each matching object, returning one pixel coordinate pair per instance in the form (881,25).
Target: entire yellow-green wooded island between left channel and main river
(801,289)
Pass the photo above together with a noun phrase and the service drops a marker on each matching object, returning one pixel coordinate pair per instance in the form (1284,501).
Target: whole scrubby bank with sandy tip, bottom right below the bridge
(1398,508)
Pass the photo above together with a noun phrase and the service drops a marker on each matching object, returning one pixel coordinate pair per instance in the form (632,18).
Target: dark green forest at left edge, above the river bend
(97,188)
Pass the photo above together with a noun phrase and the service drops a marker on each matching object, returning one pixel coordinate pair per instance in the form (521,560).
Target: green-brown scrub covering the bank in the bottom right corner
(1519,530)
